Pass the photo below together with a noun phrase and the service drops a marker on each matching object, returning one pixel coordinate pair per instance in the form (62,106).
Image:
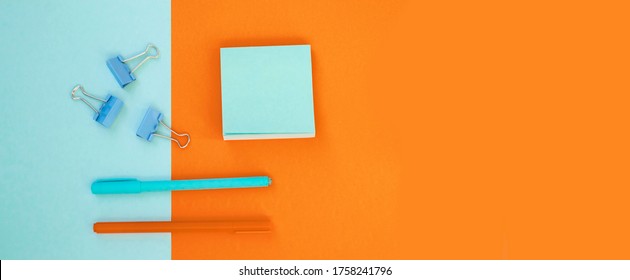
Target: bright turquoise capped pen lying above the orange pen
(128,186)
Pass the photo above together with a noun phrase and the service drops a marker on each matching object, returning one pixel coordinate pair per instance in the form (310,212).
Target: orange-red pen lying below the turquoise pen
(169,226)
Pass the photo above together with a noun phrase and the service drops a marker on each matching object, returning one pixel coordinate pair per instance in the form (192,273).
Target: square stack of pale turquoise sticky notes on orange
(267,92)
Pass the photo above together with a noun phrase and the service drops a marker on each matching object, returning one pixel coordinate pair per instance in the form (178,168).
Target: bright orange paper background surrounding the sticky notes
(448,130)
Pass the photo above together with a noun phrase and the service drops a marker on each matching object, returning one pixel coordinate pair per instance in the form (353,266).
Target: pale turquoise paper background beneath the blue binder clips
(51,149)
